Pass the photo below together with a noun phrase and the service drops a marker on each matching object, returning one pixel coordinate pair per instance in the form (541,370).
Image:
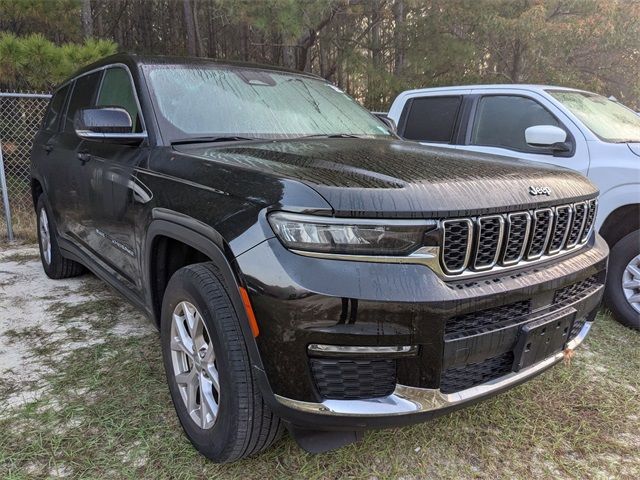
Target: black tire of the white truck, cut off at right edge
(621,254)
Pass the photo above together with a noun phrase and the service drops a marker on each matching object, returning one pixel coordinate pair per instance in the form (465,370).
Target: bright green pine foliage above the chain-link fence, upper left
(35,63)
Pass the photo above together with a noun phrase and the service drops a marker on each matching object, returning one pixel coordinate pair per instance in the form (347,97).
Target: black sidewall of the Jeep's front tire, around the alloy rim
(215,442)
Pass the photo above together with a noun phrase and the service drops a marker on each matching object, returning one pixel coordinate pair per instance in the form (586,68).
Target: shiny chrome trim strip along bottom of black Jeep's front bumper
(410,400)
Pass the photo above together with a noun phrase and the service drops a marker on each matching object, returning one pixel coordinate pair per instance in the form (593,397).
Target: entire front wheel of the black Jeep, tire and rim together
(243,424)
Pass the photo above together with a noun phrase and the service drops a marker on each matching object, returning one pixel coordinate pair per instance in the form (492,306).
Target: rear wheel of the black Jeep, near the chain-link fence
(55,265)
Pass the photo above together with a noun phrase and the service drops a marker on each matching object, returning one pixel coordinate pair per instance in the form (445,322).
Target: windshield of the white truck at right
(609,120)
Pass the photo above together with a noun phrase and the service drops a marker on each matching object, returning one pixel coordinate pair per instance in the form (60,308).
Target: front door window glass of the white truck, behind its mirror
(501,121)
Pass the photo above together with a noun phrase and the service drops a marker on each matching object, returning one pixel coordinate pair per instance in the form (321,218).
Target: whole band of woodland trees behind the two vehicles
(371,48)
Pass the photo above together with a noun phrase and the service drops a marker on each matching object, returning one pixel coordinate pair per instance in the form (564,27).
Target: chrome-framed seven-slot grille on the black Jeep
(480,243)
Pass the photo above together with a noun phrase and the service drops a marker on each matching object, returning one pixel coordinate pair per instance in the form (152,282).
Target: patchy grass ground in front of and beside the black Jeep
(106,412)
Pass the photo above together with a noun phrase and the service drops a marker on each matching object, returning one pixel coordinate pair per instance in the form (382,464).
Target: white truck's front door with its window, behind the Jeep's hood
(499,119)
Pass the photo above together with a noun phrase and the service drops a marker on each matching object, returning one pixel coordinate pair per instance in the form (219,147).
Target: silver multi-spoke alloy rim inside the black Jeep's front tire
(194,365)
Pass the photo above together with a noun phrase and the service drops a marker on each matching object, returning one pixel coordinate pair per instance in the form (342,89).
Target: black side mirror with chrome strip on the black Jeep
(106,124)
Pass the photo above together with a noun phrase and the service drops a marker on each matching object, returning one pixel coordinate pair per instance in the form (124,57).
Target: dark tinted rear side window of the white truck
(432,119)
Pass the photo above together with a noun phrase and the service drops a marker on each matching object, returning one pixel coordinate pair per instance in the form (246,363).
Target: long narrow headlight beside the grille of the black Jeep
(349,236)
